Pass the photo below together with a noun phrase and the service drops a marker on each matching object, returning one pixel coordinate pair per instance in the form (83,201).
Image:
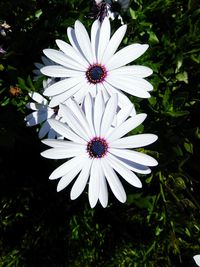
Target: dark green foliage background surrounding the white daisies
(160,224)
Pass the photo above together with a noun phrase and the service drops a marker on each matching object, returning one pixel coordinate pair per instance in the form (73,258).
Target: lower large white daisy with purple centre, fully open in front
(97,151)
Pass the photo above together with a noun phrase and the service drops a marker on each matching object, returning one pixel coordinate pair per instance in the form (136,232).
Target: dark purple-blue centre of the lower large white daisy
(97,147)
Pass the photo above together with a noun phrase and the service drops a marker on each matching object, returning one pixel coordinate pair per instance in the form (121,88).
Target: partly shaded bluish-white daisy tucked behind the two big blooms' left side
(42,112)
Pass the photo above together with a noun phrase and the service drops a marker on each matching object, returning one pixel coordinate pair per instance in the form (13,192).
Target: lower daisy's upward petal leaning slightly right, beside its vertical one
(109,114)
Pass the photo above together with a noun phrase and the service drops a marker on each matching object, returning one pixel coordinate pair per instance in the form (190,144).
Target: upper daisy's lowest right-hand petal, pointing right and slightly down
(132,88)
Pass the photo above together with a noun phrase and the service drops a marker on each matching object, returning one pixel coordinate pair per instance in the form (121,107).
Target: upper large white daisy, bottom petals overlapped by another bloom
(90,65)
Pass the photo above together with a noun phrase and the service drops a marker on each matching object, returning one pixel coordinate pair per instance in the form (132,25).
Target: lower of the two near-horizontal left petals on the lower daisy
(63,153)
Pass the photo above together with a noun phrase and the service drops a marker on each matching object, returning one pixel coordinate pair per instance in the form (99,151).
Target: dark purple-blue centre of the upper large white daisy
(96,73)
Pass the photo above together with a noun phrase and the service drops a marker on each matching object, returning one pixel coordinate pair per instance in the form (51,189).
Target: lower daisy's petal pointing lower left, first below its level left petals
(68,166)
